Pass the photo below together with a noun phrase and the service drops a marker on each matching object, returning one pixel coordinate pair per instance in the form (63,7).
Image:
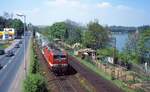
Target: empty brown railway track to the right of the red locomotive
(100,84)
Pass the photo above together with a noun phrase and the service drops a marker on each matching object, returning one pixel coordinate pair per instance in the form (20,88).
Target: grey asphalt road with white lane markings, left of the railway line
(11,66)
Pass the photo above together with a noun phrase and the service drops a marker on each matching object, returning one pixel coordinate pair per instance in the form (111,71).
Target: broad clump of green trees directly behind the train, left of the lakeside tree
(67,31)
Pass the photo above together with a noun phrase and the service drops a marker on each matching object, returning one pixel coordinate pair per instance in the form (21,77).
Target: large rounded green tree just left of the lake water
(96,36)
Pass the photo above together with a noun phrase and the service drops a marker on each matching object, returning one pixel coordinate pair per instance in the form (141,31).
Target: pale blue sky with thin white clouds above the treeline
(110,12)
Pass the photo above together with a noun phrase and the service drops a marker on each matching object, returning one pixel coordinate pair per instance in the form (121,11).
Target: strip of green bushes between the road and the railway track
(34,82)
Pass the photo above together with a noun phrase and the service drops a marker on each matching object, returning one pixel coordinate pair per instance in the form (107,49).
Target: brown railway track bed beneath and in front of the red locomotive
(65,83)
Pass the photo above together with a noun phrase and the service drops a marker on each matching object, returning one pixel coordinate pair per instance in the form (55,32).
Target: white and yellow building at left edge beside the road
(7,34)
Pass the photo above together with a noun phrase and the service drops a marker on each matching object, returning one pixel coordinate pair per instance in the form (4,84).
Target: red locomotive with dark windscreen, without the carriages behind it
(56,58)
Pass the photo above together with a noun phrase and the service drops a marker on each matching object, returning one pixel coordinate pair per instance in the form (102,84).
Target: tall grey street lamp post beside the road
(24,17)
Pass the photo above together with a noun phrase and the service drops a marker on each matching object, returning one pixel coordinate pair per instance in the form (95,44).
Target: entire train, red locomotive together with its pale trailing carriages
(56,58)
